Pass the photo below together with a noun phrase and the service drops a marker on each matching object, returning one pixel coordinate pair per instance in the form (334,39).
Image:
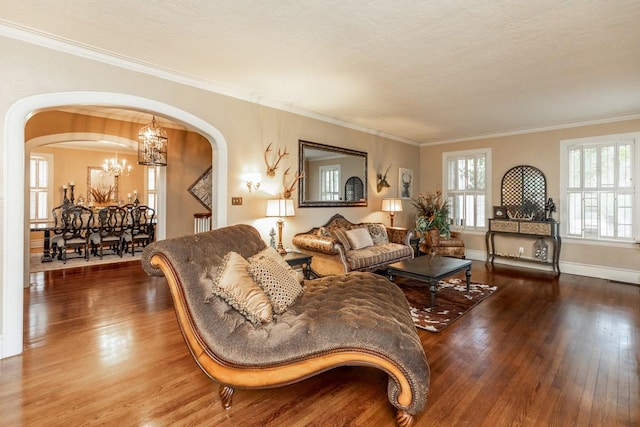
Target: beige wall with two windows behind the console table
(542,150)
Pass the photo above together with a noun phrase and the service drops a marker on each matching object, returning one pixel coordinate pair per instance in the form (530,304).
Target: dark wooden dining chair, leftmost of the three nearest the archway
(77,225)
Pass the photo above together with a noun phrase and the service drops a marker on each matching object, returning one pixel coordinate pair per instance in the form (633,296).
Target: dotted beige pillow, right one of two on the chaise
(277,283)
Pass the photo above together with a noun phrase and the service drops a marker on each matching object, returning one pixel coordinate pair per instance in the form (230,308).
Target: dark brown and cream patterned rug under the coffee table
(452,301)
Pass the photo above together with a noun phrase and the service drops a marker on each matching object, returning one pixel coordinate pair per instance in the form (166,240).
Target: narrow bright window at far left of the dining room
(40,192)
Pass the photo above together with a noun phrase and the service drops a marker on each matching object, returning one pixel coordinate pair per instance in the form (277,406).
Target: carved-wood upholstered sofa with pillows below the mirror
(334,251)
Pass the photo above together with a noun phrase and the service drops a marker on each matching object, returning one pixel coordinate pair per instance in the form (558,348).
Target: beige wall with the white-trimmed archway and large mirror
(28,70)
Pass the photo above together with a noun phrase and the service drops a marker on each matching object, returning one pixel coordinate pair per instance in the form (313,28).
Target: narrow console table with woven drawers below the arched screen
(525,229)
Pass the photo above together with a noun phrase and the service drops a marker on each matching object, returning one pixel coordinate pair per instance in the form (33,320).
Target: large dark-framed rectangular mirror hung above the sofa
(311,155)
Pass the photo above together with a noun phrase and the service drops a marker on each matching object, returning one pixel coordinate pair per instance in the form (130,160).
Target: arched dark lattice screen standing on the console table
(524,193)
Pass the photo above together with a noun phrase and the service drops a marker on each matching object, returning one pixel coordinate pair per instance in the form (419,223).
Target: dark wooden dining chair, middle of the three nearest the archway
(111,224)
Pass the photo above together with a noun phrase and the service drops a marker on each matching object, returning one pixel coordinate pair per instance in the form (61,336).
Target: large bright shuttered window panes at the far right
(598,187)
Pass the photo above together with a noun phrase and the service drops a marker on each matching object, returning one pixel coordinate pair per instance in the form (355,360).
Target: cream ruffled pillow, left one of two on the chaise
(233,283)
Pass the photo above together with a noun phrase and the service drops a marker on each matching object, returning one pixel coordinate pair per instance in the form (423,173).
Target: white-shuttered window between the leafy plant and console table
(467,187)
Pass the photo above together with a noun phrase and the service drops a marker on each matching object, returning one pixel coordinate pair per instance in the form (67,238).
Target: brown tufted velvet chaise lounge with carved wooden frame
(355,319)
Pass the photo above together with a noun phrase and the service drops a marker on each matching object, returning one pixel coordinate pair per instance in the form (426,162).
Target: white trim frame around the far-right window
(564,222)
